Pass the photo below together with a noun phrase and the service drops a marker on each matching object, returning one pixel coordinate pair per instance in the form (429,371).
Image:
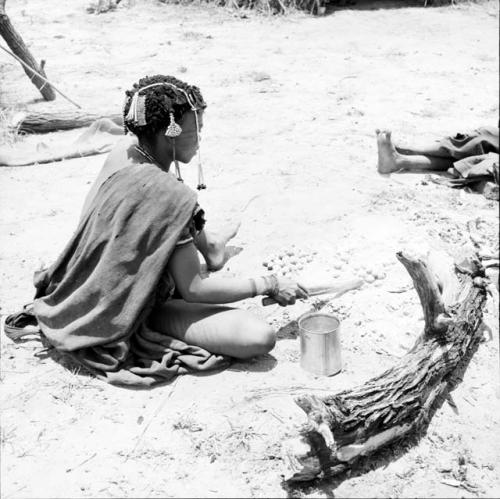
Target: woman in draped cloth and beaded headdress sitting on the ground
(127,297)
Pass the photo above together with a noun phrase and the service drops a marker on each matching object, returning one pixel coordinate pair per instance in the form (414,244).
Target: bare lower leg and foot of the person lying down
(390,160)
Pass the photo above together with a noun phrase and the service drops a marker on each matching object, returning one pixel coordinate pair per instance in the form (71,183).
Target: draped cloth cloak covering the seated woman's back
(94,301)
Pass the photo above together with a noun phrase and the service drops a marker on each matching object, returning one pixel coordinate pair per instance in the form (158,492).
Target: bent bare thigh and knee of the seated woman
(216,328)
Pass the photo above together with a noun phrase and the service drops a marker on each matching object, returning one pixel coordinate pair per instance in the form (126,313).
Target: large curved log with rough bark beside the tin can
(345,426)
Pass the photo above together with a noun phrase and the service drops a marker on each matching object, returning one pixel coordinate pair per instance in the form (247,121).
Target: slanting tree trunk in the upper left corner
(19,48)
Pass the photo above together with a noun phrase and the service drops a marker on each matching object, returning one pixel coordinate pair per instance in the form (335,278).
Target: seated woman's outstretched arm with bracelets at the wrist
(184,267)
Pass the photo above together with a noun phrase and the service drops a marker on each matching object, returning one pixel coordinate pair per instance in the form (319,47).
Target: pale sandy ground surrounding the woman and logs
(293,104)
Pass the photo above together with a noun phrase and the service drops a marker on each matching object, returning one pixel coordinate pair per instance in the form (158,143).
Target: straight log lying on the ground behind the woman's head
(63,120)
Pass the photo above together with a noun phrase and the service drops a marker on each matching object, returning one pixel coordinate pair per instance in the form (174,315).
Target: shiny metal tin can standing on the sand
(320,350)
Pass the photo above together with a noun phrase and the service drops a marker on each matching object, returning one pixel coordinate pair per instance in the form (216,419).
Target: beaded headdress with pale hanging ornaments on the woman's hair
(137,115)
